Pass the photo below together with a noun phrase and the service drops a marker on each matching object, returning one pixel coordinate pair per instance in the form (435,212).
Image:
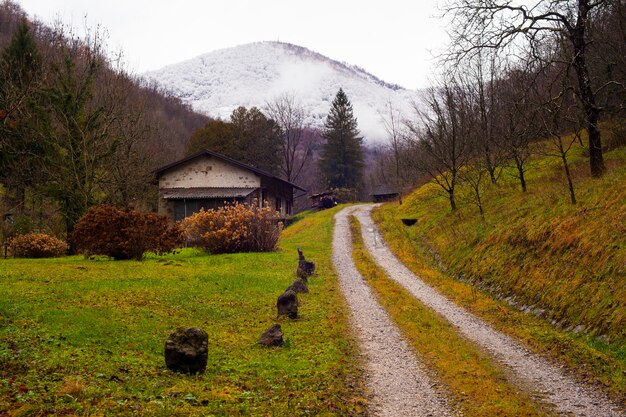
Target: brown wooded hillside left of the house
(76,128)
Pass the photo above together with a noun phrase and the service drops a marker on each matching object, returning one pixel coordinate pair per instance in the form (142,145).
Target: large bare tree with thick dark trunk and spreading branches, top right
(497,24)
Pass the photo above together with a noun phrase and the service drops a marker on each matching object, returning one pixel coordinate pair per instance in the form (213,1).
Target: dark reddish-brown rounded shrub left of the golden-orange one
(124,233)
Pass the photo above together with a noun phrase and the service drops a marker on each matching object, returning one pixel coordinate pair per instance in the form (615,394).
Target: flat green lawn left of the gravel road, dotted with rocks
(86,337)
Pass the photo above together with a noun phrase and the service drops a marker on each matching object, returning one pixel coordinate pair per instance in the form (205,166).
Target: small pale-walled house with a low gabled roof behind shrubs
(208,179)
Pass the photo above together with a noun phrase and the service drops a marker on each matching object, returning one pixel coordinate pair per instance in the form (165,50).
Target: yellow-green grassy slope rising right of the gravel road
(537,248)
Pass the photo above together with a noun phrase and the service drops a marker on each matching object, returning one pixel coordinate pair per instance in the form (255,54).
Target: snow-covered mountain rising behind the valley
(254,74)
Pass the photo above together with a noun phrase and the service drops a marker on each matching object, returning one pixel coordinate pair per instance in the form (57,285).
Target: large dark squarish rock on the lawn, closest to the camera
(186,350)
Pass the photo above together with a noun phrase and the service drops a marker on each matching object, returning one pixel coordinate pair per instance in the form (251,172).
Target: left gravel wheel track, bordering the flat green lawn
(395,378)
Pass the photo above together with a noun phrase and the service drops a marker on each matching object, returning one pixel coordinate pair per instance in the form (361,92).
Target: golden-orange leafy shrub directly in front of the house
(233,228)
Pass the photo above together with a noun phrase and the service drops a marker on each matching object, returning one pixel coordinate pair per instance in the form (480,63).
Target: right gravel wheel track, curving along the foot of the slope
(548,381)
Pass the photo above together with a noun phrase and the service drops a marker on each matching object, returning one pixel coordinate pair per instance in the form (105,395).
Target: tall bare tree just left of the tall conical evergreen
(296,142)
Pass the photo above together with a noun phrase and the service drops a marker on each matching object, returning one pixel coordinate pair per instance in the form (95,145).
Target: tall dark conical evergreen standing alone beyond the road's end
(341,159)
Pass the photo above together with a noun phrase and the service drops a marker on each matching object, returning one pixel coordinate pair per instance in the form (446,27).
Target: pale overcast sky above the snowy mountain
(393,39)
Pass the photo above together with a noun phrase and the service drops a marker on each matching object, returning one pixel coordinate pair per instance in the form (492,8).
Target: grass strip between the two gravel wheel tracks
(475,385)
